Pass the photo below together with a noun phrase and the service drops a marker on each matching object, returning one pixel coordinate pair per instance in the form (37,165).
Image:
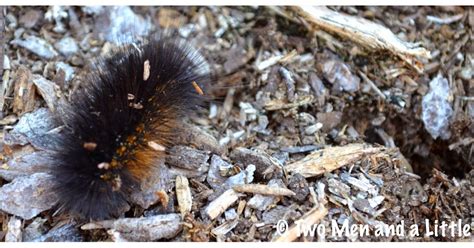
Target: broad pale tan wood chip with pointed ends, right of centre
(330,158)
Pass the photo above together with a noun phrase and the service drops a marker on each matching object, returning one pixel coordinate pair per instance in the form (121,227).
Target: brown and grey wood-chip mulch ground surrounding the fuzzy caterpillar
(304,127)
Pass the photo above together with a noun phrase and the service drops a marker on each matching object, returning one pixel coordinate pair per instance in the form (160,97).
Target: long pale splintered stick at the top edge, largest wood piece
(364,32)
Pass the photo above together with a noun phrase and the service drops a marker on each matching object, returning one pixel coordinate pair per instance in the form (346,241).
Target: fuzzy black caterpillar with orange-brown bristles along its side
(120,124)
